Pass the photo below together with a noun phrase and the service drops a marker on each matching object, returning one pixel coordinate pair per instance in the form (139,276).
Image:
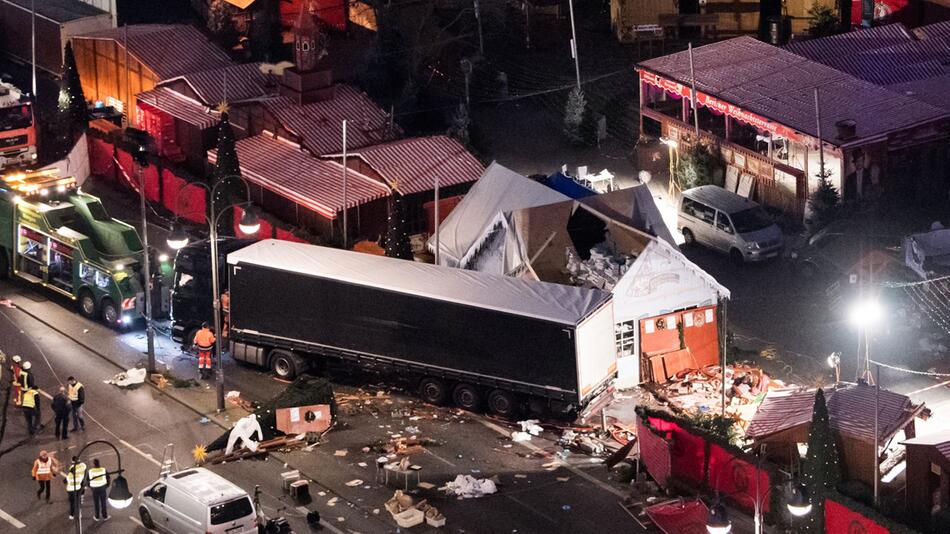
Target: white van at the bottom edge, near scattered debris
(197,501)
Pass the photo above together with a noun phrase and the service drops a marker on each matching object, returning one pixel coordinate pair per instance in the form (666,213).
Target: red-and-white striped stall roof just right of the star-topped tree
(288,171)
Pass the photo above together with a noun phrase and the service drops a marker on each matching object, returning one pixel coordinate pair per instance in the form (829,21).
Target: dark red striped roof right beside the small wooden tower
(320,124)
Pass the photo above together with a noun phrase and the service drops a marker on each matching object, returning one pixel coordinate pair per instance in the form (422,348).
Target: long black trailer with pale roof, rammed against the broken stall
(475,339)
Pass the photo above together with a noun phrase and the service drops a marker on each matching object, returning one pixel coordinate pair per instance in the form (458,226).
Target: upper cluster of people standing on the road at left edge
(69,400)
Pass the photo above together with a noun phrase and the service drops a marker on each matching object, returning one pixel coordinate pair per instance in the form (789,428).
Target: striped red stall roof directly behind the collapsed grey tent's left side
(412,165)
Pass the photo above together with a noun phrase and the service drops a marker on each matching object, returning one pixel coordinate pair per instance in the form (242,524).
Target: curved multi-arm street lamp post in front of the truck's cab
(178,239)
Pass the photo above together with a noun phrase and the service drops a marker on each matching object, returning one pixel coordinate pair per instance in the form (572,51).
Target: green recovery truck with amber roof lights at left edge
(53,235)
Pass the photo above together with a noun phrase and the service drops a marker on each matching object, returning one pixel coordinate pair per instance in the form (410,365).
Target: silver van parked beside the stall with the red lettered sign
(730,223)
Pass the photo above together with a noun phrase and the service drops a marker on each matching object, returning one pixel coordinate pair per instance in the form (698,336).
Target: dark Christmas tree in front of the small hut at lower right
(821,472)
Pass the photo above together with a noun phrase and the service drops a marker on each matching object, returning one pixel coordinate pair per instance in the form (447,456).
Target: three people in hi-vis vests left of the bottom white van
(76,477)
